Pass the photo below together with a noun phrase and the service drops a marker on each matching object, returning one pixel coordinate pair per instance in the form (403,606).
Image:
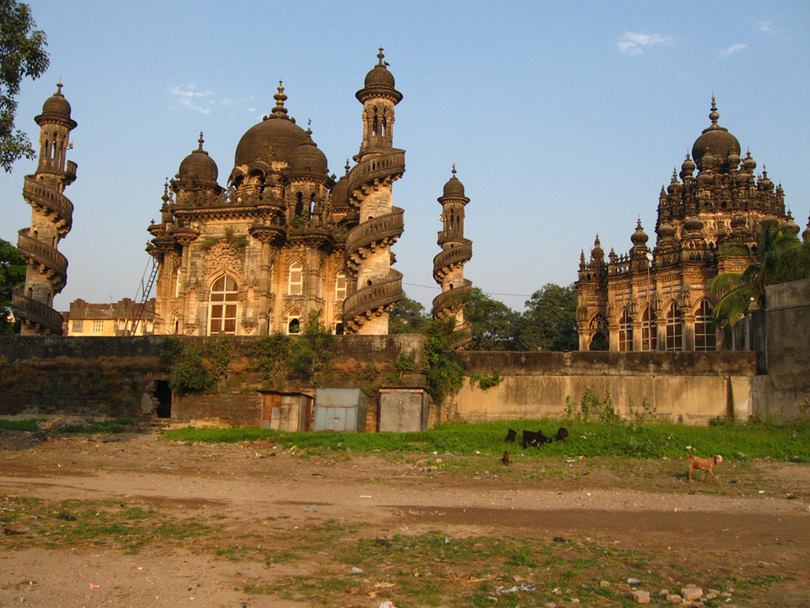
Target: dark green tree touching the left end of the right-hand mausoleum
(550,319)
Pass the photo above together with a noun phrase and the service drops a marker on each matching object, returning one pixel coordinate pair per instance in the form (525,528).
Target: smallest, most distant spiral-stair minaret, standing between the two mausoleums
(448,265)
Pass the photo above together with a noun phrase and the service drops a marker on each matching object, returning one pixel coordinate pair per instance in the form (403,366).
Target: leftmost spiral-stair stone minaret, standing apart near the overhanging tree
(51,220)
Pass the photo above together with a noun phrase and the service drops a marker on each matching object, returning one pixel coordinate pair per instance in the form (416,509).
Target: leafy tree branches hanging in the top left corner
(22,54)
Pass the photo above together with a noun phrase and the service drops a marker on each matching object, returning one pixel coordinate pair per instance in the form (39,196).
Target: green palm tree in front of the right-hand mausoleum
(779,257)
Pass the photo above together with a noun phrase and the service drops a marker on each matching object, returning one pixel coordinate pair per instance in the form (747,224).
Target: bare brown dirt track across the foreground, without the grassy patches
(256,488)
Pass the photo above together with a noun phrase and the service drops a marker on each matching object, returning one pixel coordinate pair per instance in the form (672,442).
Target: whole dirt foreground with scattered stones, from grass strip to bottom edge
(754,528)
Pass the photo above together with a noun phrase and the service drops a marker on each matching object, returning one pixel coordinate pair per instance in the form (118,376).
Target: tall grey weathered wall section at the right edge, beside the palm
(785,391)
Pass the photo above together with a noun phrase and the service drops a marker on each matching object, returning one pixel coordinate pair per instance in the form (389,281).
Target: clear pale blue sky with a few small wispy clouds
(563,118)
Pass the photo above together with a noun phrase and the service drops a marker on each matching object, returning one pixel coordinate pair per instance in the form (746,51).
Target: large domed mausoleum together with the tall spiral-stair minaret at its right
(283,239)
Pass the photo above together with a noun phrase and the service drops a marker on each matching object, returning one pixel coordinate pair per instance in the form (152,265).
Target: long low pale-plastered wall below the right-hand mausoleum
(688,386)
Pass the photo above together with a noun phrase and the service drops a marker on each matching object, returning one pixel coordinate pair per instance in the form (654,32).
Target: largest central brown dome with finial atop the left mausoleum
(273,139)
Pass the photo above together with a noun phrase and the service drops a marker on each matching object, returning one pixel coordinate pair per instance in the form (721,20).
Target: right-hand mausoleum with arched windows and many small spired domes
(657,299)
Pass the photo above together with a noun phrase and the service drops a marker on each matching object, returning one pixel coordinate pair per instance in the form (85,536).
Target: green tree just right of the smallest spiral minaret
(495,326)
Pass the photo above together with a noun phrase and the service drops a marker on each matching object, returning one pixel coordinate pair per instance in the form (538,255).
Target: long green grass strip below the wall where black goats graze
(587,438)
